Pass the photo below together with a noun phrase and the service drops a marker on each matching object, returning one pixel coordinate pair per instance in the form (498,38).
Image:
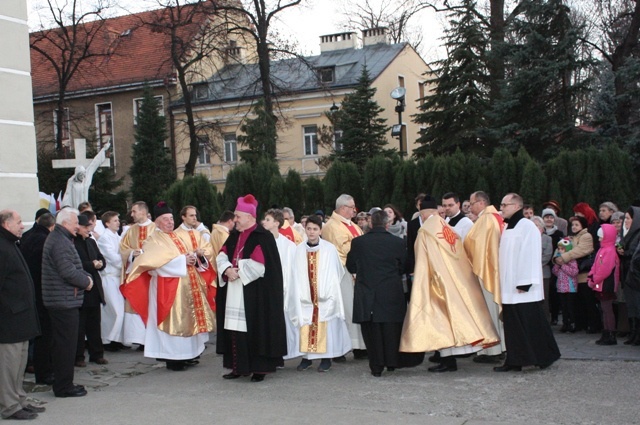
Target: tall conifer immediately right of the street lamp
(454,112)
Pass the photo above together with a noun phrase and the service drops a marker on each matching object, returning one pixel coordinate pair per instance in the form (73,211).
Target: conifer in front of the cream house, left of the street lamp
(363,131)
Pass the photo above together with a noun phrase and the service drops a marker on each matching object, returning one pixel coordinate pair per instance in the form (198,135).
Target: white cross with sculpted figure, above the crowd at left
(79,183)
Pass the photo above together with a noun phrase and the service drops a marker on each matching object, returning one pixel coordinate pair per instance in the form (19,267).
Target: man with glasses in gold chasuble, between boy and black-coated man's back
(340,231)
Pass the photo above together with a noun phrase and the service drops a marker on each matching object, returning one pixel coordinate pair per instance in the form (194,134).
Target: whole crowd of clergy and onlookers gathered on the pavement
(459,278)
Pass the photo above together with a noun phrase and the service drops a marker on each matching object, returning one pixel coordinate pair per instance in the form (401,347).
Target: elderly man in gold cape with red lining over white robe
(167,289)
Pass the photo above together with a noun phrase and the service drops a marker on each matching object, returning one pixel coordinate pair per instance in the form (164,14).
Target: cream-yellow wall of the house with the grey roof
(308,109)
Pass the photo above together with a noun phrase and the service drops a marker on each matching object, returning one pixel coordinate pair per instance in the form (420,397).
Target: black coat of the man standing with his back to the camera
(378,259)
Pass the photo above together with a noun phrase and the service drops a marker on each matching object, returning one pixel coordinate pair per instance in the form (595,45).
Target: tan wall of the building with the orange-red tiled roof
(83,116)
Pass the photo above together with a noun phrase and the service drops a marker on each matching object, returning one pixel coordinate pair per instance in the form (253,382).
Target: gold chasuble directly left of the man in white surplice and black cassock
(482,246)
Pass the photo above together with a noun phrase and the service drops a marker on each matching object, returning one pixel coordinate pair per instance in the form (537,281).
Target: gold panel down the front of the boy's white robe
(313,337)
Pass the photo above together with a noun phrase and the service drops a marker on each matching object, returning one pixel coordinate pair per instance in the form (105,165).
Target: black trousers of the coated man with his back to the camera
(383,344)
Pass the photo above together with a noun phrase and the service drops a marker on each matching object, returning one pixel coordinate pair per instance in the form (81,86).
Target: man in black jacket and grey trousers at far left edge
(18,320)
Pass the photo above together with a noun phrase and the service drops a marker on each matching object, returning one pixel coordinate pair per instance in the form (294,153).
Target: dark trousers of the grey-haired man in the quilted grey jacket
(64,333)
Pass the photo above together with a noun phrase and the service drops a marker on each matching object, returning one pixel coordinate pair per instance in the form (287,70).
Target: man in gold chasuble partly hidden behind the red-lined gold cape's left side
(130,248)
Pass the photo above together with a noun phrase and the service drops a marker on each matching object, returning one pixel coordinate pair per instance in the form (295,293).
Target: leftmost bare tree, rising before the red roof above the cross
(71,40)
